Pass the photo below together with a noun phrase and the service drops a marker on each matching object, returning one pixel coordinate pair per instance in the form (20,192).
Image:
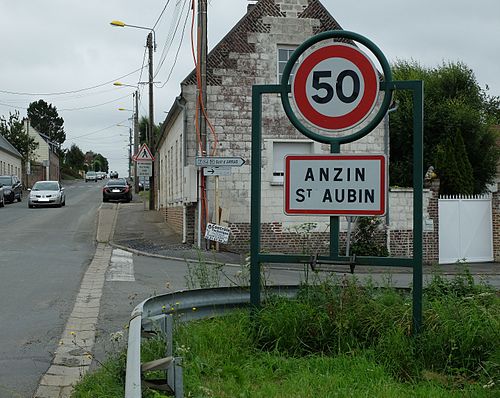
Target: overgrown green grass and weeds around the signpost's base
(343,341)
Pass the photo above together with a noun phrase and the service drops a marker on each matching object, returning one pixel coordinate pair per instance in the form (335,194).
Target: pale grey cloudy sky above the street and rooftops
(67,53)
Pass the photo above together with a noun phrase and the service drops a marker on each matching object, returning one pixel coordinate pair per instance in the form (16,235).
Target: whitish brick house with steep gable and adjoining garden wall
(255,52)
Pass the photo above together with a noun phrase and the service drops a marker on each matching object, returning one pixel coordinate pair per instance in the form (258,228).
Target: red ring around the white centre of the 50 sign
(364,107)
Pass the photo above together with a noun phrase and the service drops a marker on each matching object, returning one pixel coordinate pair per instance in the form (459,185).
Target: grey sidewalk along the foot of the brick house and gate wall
(145,232)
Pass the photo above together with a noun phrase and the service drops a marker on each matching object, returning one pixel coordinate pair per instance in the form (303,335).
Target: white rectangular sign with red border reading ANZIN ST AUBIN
(350,185)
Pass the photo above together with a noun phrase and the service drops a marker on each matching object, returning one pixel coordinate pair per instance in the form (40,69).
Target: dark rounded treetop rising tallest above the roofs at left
(46,120)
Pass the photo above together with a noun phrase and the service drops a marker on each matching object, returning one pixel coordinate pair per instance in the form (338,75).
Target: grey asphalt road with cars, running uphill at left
(43,255)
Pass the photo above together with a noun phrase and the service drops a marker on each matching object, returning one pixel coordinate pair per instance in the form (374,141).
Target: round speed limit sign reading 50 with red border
(335,87)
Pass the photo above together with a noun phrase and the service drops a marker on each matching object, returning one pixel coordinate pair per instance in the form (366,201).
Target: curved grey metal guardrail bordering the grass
(159,311)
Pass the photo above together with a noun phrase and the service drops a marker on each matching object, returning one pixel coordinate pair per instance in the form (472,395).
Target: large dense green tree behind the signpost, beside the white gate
(458,139)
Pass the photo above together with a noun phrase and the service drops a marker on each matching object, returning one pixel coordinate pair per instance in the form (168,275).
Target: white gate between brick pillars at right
(465,229)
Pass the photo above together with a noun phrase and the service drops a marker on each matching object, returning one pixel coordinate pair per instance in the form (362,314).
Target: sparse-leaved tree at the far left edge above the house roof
(13,131)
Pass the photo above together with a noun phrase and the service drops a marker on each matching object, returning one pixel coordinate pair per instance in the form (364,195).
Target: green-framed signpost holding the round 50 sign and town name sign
(333,93)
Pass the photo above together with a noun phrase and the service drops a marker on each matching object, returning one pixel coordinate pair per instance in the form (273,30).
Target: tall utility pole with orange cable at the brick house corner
(202,95)
